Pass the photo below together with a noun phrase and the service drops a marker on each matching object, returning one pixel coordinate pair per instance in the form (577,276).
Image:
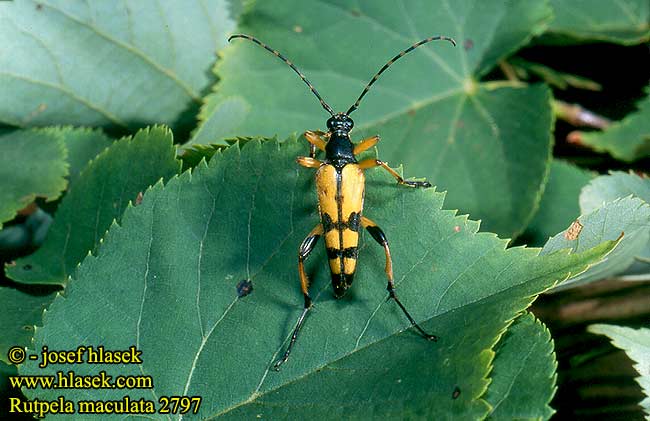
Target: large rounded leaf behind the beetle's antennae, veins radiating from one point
(488,143)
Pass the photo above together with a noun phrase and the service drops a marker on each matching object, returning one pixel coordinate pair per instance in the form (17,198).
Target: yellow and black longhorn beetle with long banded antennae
(340,183)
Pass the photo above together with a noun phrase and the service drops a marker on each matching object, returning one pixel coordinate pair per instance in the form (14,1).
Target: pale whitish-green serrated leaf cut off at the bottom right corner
(636,344)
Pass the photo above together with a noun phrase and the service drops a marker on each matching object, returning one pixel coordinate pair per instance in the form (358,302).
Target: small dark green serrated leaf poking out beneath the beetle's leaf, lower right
(523,377)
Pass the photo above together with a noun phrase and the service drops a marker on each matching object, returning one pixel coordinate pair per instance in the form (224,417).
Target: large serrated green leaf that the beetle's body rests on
(165,279)
